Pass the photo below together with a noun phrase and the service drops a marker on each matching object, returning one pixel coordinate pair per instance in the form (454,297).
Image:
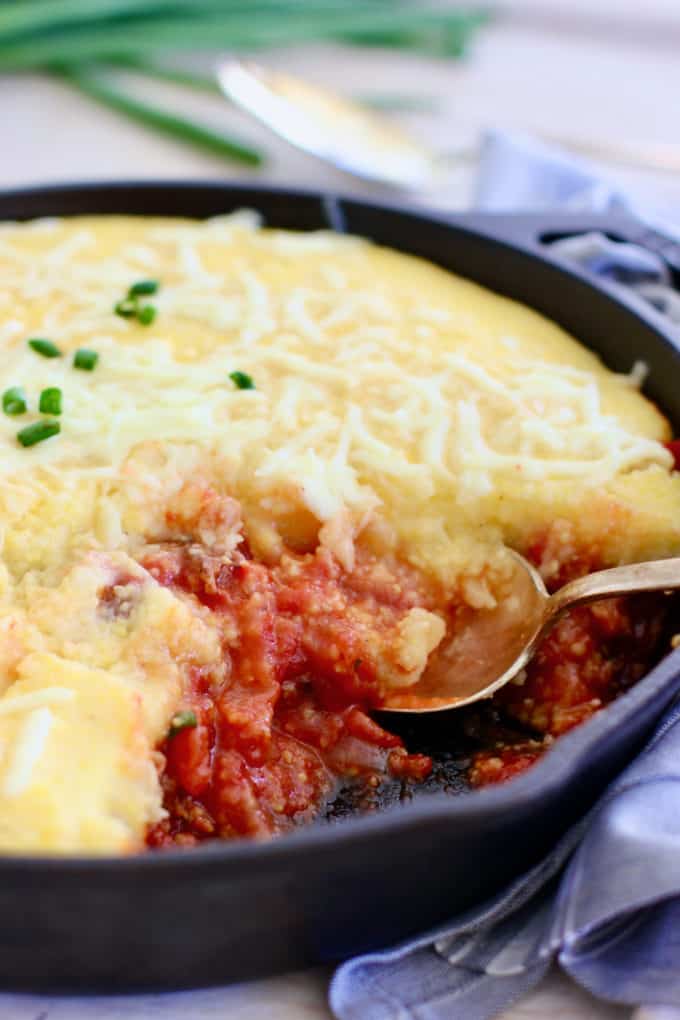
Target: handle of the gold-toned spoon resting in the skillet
(656,576)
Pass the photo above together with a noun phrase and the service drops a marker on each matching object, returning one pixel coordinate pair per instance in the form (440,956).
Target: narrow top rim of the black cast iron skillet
(514,232)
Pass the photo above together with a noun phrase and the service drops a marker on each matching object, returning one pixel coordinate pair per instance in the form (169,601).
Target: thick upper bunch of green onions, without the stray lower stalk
(38,33)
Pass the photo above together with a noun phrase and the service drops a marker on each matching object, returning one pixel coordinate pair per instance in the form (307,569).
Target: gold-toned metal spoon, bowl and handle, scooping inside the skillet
(493,646)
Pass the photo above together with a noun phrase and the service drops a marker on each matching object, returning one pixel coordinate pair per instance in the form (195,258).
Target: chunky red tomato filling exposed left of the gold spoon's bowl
(305,643)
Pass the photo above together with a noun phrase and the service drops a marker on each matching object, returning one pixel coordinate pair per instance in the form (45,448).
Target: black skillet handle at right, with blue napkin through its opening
(536,232)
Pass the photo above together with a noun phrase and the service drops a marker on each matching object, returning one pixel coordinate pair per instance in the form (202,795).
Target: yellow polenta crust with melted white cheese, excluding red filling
(395,404)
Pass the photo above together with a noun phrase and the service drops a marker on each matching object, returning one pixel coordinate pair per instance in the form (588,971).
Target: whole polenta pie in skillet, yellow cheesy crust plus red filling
(249,480)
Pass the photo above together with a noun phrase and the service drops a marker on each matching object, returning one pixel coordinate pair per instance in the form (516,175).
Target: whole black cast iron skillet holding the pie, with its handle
(228,912)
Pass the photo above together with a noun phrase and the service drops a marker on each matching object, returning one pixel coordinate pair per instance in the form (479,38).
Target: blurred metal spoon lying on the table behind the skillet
(342,133)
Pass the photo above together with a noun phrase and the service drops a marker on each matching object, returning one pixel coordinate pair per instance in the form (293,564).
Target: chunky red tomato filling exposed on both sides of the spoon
(308,645)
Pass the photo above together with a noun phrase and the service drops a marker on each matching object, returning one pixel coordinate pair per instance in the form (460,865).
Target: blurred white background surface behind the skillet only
(597,70)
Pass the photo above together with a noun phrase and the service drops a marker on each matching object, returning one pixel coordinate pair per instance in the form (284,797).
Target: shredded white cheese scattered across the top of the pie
(439,413)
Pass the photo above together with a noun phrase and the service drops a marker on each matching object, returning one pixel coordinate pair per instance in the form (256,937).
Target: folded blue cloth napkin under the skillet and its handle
(606,902)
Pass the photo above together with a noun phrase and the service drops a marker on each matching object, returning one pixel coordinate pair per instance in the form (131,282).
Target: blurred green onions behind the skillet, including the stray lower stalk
(74,38)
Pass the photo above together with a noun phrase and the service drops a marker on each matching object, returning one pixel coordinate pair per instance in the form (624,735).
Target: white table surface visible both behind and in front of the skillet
(603,70)
